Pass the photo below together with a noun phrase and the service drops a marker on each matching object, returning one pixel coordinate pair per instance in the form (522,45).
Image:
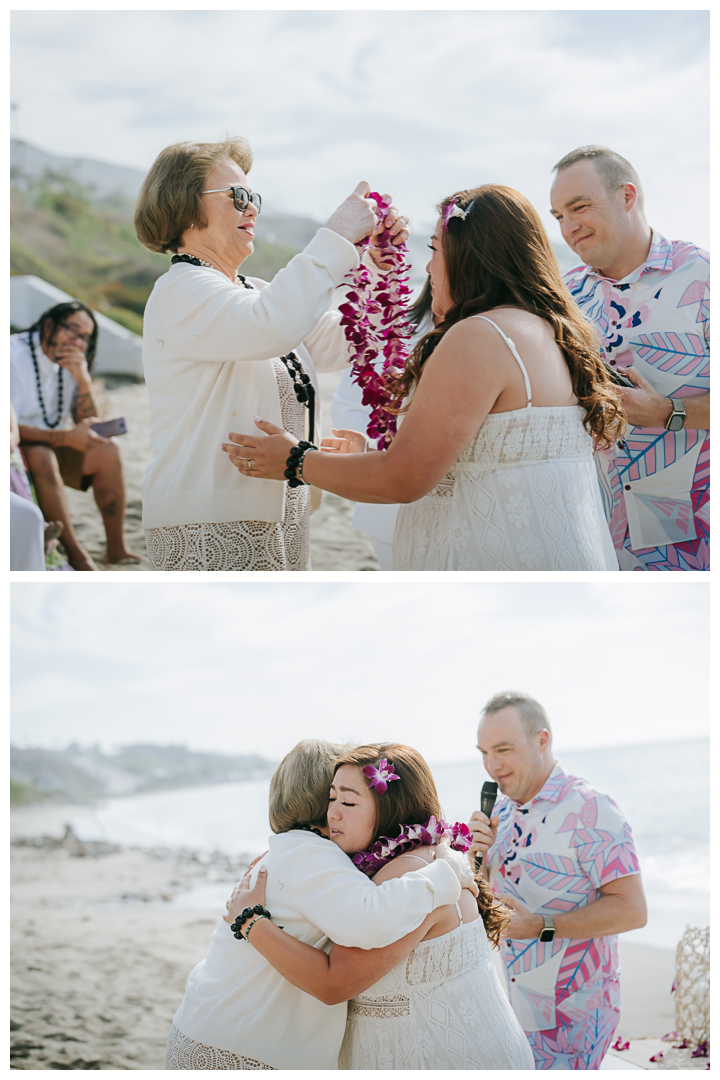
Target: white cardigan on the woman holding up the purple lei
(208,350)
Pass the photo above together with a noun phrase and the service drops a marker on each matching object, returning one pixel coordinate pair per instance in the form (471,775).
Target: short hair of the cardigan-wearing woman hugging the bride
(301,786)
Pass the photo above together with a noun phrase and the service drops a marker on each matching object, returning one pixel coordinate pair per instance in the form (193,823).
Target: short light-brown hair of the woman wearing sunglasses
(170,199)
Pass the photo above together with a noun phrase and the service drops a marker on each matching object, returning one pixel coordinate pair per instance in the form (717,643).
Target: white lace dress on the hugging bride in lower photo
(443,1008)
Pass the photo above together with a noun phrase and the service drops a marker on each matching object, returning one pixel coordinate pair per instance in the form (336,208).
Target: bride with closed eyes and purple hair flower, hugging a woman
(442,1007)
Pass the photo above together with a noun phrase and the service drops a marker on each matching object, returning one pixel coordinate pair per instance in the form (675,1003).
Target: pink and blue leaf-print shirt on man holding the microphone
(553,854)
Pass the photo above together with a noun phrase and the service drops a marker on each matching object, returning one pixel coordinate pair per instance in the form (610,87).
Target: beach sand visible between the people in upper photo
(335,545)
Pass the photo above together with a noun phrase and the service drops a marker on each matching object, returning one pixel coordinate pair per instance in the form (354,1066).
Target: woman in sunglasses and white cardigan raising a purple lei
(221,348)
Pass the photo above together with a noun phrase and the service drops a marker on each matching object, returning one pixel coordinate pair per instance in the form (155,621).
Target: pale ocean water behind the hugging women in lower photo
(663,790)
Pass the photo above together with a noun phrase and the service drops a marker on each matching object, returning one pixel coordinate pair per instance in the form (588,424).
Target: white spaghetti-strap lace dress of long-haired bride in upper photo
(523,496)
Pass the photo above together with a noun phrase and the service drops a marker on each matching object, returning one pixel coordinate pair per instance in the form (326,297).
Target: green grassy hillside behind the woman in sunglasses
(88,248)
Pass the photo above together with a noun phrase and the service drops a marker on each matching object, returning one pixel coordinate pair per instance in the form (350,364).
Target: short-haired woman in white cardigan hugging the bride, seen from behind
(238,1012)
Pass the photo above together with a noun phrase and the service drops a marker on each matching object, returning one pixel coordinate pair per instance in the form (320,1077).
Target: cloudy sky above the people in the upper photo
(420,103)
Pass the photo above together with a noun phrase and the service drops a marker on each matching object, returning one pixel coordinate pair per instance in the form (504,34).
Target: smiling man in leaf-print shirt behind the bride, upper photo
(650,300)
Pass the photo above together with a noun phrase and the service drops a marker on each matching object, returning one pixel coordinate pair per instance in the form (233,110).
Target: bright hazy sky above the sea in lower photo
(255,668)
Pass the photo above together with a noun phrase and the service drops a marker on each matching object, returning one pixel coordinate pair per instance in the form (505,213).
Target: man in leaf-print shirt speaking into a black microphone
(563,857)
